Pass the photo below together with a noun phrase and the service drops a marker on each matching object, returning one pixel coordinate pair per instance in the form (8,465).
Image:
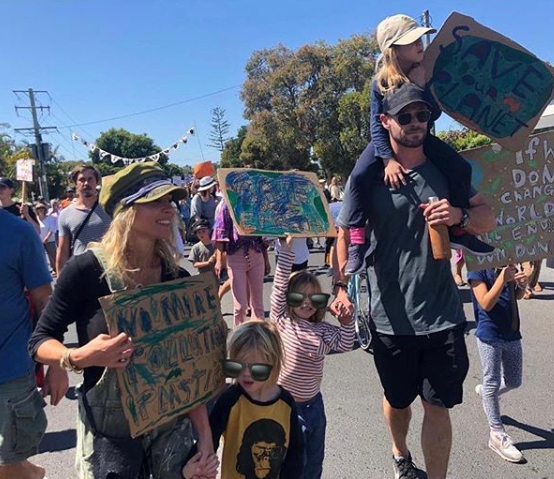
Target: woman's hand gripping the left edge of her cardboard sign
(104,351)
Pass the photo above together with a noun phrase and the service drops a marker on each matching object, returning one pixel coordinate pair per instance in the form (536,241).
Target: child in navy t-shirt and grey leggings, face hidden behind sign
(495,293)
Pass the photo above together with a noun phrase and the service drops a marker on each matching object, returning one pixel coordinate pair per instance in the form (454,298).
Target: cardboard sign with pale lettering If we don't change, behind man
(520,189)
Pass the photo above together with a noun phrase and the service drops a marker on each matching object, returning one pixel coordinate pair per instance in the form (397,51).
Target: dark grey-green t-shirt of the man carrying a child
(411,293)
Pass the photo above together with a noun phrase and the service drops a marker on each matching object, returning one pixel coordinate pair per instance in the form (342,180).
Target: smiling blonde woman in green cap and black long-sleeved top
(138,249)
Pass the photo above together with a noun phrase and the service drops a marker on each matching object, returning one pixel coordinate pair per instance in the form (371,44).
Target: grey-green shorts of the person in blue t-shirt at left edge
(22,419)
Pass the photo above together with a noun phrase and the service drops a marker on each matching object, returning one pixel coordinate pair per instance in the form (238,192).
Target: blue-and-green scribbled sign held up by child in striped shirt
(274,203)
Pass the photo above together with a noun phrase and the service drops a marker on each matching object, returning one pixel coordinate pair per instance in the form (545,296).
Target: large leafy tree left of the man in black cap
(309,104)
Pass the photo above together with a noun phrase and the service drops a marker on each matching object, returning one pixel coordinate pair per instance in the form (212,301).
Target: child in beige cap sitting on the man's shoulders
(399,39)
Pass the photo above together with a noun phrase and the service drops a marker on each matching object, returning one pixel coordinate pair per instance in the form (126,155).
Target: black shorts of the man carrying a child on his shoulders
(432,366)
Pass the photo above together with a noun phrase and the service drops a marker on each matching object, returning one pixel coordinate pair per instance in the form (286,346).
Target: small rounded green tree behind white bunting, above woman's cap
(124,144)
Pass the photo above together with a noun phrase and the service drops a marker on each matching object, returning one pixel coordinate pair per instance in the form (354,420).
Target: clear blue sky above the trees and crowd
(100,59)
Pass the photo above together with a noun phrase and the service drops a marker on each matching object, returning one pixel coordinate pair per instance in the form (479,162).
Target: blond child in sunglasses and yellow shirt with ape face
(257,418)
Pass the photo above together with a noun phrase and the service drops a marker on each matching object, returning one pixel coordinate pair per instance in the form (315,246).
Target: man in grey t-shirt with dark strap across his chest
(82,221)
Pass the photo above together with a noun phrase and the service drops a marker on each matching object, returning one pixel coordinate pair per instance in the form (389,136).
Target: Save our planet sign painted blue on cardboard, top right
(488,82)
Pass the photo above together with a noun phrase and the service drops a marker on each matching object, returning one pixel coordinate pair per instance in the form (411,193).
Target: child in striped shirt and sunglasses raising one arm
(298,308)
